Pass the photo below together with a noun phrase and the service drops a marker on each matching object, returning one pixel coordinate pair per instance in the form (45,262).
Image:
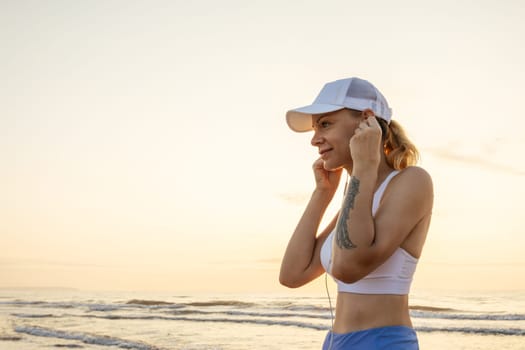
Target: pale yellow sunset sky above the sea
(143,144)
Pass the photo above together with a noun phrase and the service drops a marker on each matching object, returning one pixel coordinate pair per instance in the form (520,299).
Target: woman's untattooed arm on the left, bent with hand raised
(301,262)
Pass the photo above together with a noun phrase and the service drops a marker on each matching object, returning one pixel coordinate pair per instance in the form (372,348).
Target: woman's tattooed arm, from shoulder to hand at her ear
(363,242)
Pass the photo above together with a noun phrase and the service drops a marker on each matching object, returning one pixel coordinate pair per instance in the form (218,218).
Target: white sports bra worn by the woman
(394,276)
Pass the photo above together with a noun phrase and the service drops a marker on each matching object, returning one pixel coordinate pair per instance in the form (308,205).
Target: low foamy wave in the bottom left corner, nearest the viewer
(85,338)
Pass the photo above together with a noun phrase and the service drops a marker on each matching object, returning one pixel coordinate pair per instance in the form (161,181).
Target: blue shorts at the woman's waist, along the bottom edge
(387,338)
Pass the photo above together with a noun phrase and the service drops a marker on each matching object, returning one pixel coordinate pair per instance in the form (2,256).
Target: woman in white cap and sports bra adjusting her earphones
(372,246)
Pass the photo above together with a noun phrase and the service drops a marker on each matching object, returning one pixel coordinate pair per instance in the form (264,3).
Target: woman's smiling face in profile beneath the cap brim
(332,133)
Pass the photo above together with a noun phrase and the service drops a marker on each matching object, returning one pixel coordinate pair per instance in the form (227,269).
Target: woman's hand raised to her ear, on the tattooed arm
(365,145)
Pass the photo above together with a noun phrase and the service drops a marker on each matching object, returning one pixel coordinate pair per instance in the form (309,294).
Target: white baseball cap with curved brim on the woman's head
(353,93)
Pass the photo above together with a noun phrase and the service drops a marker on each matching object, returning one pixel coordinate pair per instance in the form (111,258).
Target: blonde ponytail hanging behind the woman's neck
(400,152)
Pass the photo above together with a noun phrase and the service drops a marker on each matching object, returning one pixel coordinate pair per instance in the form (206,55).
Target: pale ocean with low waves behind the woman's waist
(72,319)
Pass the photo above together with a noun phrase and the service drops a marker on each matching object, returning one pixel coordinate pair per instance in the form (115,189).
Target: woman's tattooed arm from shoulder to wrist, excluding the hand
(366,241)
